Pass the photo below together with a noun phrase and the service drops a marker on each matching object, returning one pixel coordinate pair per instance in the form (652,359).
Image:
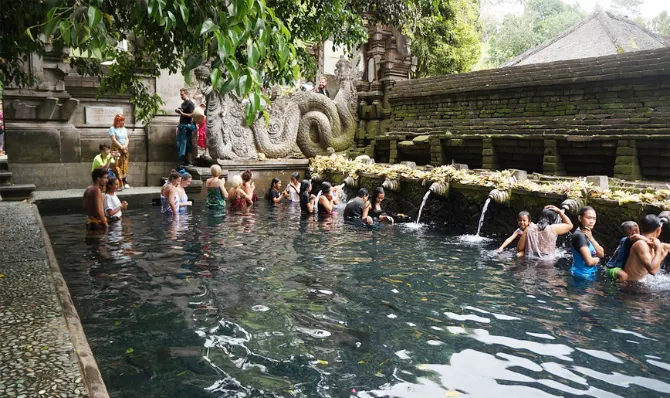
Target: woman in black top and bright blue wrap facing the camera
(586,251)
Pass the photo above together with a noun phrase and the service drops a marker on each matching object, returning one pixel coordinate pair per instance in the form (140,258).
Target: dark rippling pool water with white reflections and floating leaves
(271,304)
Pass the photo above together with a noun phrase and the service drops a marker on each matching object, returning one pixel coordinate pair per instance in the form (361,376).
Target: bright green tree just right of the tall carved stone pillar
(446,41)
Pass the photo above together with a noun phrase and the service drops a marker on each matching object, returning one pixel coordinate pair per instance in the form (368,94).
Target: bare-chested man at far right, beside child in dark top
(646,255)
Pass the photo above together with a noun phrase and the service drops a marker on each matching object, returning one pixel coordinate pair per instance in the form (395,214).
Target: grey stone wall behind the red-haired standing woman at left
(53,130)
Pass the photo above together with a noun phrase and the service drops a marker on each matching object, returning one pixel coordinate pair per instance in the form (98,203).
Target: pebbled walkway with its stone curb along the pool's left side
(43,350)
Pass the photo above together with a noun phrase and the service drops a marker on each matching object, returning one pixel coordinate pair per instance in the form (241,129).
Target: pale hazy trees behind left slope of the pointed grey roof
(541,21)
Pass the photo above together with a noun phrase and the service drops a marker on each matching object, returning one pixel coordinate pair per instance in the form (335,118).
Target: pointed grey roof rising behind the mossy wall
(602,33)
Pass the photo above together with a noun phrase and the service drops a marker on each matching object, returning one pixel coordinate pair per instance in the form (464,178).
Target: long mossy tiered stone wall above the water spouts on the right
(607,115)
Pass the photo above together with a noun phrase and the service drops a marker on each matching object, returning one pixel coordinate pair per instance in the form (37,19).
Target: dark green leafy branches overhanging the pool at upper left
(244,40)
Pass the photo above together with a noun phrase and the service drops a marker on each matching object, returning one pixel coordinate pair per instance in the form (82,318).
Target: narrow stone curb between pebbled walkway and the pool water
(88,366)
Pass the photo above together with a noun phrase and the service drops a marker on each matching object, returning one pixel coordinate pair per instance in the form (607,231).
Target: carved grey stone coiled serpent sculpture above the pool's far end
(309,121)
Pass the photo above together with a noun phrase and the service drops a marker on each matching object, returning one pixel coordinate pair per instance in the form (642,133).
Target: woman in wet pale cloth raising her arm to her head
(539,240)
